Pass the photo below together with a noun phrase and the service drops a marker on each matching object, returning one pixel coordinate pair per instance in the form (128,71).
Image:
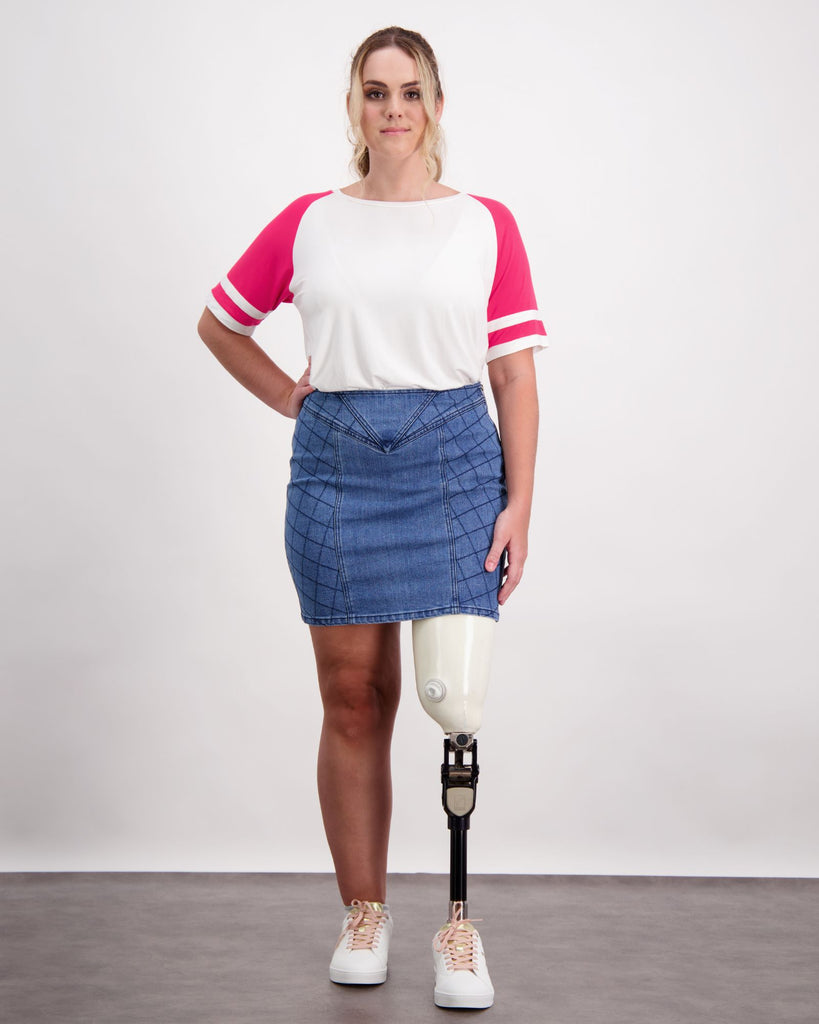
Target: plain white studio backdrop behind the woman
(655,704)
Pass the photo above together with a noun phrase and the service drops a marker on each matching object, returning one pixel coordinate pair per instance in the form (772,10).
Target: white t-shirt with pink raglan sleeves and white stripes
(392,295)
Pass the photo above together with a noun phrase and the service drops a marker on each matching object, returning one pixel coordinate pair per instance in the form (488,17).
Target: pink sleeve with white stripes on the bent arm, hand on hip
(261,278)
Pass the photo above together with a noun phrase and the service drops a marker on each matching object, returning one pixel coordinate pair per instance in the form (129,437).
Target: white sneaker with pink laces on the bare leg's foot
(361,956)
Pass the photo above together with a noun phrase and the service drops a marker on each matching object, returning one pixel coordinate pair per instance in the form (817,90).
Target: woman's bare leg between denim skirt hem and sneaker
(360,679)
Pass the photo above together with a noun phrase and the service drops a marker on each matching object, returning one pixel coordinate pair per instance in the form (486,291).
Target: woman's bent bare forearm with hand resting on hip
(253,368)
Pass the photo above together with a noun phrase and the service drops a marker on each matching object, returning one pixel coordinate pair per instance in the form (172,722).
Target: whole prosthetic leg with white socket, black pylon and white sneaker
(452,662)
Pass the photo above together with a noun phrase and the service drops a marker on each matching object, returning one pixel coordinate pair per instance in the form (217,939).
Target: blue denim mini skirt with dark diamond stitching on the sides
(392,505)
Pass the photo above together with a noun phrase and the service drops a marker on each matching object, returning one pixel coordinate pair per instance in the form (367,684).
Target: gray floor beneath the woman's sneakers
(121,949)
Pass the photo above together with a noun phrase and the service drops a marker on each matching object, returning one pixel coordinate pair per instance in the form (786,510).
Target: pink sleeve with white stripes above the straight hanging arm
(513,322)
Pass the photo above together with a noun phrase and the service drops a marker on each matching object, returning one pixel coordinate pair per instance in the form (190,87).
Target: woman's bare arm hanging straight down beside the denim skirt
(515,390)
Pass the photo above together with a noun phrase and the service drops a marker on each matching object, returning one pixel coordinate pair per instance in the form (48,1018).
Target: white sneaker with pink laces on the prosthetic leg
(462,980)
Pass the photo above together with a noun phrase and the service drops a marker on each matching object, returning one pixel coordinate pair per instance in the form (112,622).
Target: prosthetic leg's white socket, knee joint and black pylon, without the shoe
(452,661)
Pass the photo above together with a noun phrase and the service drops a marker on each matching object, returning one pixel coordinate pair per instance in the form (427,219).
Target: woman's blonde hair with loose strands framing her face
(417,48)
